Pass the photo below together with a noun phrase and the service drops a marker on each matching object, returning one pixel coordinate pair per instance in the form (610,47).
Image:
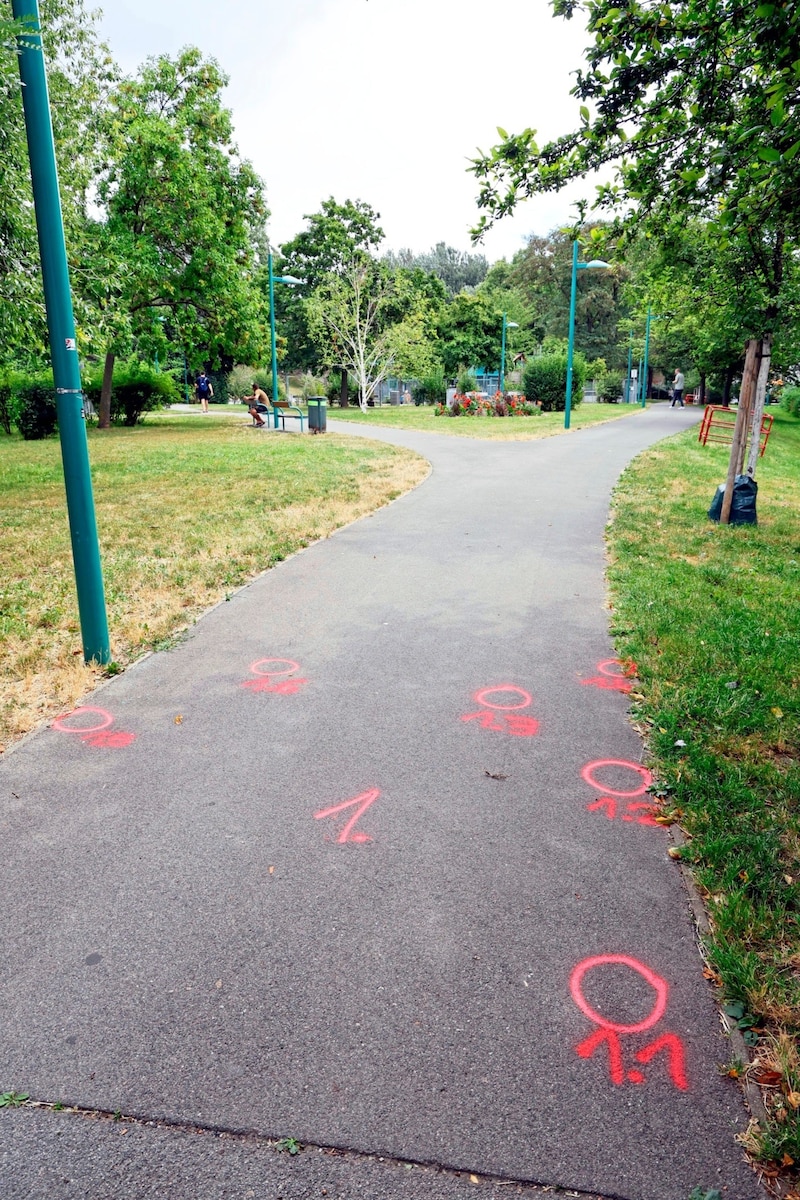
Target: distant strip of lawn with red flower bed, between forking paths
(518,429)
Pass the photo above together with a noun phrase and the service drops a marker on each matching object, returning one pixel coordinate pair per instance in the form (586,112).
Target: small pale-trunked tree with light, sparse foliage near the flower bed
(346,317)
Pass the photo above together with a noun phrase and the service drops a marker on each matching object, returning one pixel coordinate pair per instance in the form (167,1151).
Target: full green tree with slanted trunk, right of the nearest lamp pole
(183,223)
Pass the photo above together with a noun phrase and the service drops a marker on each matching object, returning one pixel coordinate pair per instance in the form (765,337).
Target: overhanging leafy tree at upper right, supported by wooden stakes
(696,104)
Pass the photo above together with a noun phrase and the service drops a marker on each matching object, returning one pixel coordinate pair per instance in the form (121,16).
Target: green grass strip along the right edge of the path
(712,617)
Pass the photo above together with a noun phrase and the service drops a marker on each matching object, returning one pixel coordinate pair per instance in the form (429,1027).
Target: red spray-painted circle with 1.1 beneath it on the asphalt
(610,1034)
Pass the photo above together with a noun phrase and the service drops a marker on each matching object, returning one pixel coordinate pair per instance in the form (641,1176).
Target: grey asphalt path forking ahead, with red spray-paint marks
(366,862)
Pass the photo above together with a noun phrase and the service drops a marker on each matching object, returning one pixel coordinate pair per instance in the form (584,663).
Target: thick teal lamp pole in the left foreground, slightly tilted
(61,322)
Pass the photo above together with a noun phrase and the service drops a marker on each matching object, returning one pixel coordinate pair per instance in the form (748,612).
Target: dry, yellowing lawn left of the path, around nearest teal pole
(188,509)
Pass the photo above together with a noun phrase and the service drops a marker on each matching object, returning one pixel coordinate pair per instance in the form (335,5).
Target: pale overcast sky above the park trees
(377,100)
